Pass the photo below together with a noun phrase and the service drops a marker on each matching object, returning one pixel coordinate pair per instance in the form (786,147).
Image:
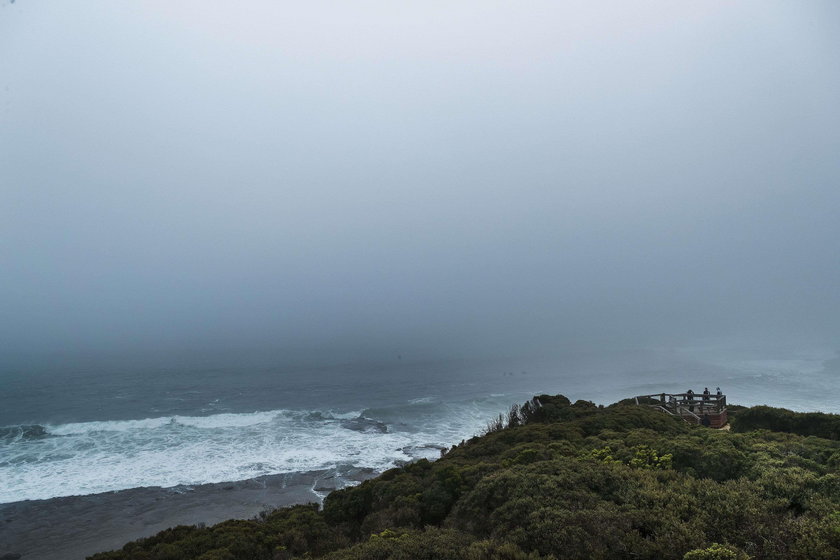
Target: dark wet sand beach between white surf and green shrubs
(75,527)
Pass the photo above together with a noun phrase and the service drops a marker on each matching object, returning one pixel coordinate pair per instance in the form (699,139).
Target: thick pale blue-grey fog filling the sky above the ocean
(373,178)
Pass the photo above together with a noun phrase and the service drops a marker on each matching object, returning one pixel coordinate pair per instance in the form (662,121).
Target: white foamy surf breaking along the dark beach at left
(91,457)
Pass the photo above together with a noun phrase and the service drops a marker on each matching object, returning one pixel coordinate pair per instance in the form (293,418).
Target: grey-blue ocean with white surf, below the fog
(97,429)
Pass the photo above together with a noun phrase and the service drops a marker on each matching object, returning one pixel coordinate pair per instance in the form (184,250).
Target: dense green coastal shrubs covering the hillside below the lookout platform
(561,481)
